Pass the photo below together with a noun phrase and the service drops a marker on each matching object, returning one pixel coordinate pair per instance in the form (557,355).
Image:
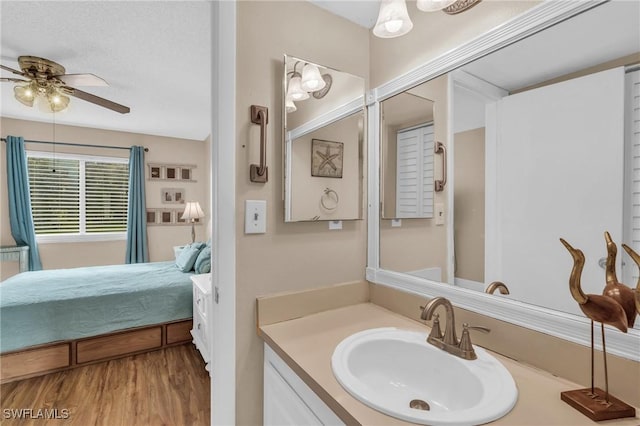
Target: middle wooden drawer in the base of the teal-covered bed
(118,344)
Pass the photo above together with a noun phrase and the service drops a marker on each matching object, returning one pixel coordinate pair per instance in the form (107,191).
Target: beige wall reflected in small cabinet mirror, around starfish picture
(306,190)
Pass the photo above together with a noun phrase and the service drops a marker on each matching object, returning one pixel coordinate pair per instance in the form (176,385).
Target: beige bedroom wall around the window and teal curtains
(161,149)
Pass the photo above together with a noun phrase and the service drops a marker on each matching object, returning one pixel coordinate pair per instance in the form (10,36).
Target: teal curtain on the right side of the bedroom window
(137,247)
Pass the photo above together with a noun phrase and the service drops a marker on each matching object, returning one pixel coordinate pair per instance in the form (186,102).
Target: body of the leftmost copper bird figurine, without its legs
(596,307)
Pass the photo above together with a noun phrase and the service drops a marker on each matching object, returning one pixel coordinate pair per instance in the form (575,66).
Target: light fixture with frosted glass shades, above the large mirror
(393,18)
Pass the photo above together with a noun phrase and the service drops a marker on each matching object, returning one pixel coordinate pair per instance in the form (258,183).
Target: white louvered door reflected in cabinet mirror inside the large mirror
(414,183)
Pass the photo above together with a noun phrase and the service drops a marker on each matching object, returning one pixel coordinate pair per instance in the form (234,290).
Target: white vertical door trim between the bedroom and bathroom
(222,322)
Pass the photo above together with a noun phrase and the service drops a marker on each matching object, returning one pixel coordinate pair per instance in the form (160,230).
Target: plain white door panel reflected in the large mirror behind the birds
(557,174)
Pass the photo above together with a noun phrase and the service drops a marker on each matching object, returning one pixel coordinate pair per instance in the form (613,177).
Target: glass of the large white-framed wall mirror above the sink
(543,143)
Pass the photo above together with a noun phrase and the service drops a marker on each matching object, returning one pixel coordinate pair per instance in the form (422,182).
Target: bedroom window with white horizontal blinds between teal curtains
(77,197)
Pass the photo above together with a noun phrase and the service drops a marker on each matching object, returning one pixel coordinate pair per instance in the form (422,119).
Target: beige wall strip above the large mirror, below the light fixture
(436,33)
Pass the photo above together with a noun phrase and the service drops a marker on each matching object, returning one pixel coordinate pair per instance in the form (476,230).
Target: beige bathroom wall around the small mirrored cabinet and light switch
(290,256)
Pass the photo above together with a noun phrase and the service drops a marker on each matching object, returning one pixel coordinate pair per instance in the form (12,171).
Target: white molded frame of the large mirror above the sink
(573,328)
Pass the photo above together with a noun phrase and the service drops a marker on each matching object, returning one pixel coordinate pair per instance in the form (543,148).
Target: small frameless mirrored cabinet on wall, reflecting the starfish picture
(323,142)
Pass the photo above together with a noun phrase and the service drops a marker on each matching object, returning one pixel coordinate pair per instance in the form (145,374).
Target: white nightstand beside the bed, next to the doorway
(201,312)
